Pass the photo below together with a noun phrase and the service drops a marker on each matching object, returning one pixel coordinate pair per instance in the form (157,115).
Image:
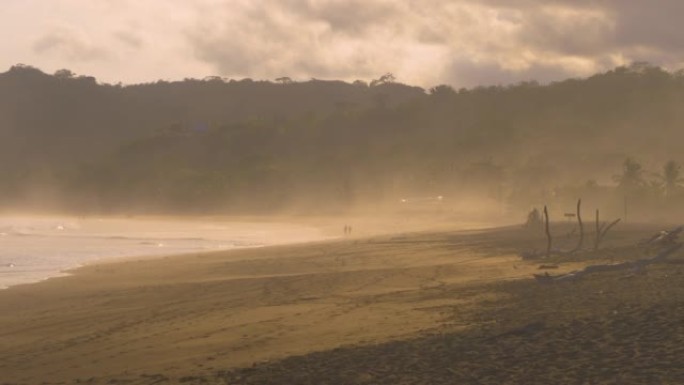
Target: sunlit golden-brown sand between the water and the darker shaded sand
(198,314)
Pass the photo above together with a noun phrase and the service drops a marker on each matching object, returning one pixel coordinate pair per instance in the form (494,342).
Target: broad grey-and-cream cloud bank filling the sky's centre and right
(434,41)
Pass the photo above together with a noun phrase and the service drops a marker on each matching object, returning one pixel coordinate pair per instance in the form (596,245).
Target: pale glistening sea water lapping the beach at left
(36,248)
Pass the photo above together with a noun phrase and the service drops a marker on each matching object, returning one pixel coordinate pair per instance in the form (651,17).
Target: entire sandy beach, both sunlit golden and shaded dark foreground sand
(415,308)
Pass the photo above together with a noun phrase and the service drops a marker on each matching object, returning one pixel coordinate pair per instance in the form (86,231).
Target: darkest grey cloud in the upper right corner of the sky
(583,27)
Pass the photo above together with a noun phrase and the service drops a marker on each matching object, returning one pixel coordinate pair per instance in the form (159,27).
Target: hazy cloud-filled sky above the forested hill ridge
(463,43)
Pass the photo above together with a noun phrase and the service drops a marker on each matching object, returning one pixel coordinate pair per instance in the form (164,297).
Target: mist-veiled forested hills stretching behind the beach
(218,145)
